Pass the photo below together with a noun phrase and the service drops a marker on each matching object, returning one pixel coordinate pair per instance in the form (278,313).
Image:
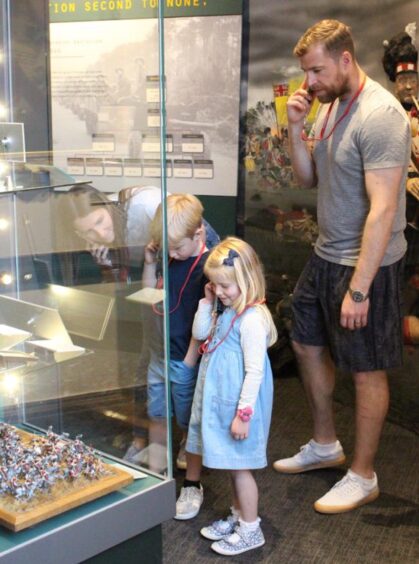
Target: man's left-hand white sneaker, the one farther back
(309,459)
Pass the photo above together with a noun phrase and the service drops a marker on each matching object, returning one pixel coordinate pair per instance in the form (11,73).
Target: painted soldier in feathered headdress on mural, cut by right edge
(400,62)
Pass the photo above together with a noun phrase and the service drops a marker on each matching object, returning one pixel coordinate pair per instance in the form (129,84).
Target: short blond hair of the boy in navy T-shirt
(184,217)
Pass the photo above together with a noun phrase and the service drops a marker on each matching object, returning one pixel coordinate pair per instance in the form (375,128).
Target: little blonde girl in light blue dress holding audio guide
(232,404)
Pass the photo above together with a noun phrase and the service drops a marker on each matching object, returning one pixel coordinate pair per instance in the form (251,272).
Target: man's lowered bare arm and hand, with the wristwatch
(382,187)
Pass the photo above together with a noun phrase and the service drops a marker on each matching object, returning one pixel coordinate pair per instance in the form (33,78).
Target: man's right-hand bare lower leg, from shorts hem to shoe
(372,401)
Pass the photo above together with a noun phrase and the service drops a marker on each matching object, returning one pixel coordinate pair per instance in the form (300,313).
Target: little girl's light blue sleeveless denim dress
(216,398)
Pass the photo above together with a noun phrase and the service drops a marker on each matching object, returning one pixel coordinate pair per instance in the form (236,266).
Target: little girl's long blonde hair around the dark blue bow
(236,261)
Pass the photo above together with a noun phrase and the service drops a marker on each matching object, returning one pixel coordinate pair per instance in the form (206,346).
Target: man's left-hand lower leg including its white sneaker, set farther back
(318,377)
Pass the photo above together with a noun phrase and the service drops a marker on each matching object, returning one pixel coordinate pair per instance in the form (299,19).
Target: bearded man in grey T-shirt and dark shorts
(346,305)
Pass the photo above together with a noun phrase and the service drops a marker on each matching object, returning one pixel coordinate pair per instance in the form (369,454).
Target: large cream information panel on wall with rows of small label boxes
(106,93)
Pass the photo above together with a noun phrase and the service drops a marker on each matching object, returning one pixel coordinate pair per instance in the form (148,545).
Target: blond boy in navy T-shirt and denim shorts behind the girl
(186,281)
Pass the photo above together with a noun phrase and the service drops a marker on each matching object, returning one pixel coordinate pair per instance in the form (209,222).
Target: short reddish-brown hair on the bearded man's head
(333,34)
